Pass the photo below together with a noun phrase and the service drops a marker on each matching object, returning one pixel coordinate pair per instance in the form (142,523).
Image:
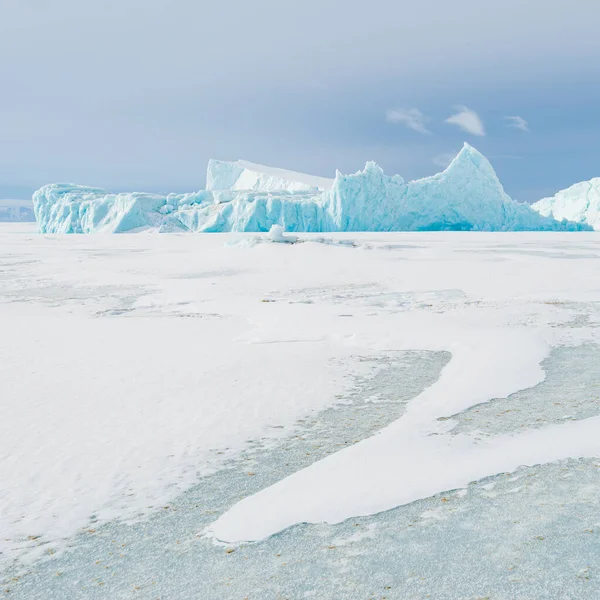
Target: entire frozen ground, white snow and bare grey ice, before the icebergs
(221,416)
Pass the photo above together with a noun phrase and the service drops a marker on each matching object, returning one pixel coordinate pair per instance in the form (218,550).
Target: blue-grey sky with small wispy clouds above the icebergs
(138,94)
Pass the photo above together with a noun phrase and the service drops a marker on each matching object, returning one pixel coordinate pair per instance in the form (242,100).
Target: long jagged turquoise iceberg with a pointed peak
(244,197)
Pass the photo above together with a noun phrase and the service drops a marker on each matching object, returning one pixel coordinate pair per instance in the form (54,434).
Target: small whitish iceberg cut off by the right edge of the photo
(580,204)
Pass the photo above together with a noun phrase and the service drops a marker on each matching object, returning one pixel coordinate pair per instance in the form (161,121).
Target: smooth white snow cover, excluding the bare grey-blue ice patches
(129,363)
